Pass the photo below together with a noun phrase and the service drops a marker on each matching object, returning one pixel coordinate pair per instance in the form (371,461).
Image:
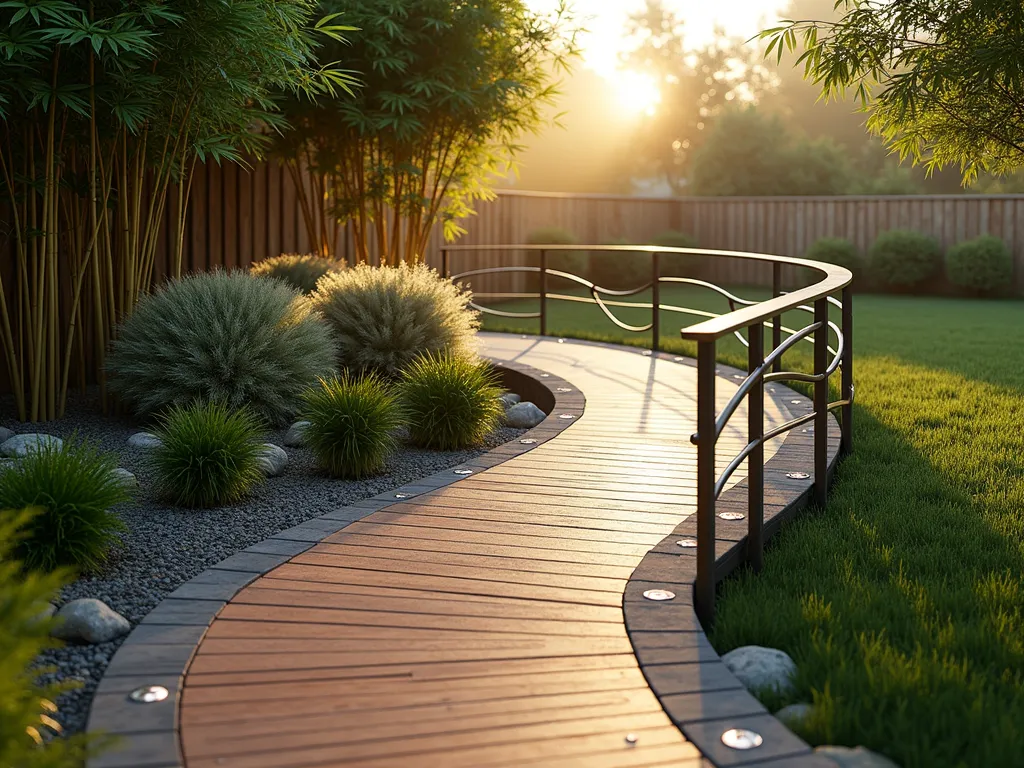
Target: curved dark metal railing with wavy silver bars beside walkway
(747,321)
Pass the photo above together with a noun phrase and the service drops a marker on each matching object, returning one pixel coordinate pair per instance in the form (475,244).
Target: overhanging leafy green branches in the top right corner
(943,80)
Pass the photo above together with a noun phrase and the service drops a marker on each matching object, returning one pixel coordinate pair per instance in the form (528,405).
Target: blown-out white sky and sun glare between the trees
(606,39)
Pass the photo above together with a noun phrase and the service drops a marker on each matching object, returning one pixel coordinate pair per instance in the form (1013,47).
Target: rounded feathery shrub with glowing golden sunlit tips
(383,318)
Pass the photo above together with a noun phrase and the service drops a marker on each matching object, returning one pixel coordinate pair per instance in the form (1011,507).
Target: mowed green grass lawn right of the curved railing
(902,603)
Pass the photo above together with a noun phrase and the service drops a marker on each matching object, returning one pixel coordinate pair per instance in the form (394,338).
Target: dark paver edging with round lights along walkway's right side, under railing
(696,689)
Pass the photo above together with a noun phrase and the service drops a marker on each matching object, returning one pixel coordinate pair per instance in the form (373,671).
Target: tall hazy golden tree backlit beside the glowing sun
(697,84)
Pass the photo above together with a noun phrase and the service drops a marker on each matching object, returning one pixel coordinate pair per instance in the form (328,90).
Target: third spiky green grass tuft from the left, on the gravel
(353,421)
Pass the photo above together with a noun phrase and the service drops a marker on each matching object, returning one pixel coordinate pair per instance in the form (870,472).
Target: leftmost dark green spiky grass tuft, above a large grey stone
(74,487)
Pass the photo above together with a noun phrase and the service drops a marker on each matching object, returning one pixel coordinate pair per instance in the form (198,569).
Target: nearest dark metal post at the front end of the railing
(705,588)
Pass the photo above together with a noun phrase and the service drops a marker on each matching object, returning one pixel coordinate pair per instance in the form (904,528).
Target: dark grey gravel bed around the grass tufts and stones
(166,546)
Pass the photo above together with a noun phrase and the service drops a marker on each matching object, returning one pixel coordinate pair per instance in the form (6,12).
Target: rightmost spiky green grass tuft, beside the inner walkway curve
(450,403)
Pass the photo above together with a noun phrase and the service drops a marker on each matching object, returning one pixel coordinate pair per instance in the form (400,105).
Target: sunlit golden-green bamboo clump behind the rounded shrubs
(448,92)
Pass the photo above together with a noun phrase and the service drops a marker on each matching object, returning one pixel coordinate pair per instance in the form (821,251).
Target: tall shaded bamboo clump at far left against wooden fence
(106,108)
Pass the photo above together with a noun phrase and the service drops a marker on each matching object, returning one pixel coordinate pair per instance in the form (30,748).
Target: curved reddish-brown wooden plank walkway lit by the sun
(479,624)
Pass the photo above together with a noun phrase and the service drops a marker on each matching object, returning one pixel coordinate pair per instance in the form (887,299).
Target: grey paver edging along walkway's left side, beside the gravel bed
(160,649)
